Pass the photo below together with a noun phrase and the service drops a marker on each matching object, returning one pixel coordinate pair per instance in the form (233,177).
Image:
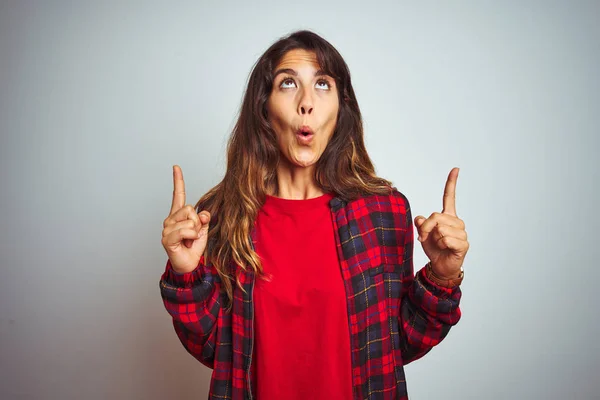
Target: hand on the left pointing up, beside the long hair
(185,233)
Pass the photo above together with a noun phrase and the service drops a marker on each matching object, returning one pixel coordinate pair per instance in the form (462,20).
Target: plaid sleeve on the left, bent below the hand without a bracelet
(192,299)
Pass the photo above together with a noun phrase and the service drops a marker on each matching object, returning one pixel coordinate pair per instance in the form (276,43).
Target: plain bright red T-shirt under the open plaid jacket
(302,339)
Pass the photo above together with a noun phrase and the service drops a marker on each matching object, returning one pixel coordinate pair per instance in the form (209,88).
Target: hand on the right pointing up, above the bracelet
(443,235)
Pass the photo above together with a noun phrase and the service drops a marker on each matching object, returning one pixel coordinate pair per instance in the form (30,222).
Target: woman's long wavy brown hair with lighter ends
(344,168)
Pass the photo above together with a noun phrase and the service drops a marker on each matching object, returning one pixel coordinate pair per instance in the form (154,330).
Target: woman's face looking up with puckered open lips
(302,107)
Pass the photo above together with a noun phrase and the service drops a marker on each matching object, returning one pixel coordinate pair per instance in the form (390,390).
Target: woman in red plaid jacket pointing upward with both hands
(293,277)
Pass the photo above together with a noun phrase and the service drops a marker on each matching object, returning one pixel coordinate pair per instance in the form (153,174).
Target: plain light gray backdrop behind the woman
(98,101)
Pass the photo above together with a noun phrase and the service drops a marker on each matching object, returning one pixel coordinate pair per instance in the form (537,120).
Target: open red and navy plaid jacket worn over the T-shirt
(394,316)
